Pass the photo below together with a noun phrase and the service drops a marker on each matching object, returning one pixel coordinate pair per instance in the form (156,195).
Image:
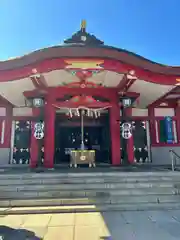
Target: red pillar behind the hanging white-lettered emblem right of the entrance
(130,141)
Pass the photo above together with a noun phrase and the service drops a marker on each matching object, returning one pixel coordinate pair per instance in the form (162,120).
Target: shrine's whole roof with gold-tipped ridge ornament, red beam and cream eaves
(84,57)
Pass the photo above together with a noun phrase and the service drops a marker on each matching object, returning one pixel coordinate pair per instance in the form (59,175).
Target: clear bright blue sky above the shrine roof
(150,28)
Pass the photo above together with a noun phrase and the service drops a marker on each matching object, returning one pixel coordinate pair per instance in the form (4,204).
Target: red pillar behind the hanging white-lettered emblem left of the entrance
(34,143)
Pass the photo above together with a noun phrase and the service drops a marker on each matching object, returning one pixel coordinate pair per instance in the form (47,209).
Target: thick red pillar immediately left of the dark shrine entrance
(49,134)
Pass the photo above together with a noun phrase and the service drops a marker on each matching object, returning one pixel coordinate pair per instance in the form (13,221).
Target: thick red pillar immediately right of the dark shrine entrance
(115,134)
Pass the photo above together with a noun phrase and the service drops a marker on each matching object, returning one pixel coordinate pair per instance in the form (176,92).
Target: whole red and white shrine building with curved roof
(84,93)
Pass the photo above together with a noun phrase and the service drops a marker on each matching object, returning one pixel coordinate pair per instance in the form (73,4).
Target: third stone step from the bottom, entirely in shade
(87,193)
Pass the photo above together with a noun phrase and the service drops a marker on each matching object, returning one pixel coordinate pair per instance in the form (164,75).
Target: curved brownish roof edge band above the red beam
(83,51)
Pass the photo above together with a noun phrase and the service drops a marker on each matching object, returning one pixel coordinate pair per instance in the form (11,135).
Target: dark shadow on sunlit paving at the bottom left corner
(7,233)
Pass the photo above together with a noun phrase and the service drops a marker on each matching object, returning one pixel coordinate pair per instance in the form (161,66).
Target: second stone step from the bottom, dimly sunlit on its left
(86,201)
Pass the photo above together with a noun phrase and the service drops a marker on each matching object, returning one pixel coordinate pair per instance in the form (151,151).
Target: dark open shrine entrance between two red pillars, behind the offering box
(68,137)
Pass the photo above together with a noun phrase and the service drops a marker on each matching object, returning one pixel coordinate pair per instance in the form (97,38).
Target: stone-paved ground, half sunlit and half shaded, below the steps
(93,226)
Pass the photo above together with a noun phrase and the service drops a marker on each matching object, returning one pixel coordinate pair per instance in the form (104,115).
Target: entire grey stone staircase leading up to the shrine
(92,191)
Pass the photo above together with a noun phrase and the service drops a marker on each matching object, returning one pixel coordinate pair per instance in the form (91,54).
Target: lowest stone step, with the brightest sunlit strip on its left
(89,208)
